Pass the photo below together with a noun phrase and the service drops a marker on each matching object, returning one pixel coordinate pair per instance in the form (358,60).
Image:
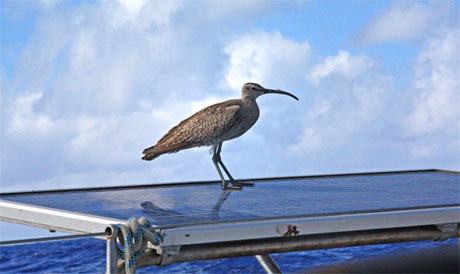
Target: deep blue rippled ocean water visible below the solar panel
(88,256)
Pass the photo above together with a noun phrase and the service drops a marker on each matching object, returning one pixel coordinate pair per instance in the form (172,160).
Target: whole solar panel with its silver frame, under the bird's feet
(196,221)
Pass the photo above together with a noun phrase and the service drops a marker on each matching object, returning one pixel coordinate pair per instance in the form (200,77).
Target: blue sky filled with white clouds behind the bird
(87,85)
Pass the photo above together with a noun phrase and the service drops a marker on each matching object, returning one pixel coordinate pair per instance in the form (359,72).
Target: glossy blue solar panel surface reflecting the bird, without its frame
(176,205)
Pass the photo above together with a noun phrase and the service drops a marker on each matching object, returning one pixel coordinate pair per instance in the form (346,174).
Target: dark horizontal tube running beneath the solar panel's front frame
(296,243)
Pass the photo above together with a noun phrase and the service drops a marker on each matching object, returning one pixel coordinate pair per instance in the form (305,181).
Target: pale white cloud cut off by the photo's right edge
(437,104)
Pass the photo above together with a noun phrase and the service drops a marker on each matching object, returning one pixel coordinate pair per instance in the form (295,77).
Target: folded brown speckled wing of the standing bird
(202,128)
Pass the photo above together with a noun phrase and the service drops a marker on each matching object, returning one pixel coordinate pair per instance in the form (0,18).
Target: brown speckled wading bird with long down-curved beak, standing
(212,126)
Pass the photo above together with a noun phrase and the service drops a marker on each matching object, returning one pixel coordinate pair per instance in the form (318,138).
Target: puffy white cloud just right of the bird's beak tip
(348,99)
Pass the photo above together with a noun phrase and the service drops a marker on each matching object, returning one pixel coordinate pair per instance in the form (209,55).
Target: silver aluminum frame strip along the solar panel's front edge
(250,230)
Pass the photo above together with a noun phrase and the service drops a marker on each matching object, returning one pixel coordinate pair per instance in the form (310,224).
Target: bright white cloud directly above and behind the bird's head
(267,58)
